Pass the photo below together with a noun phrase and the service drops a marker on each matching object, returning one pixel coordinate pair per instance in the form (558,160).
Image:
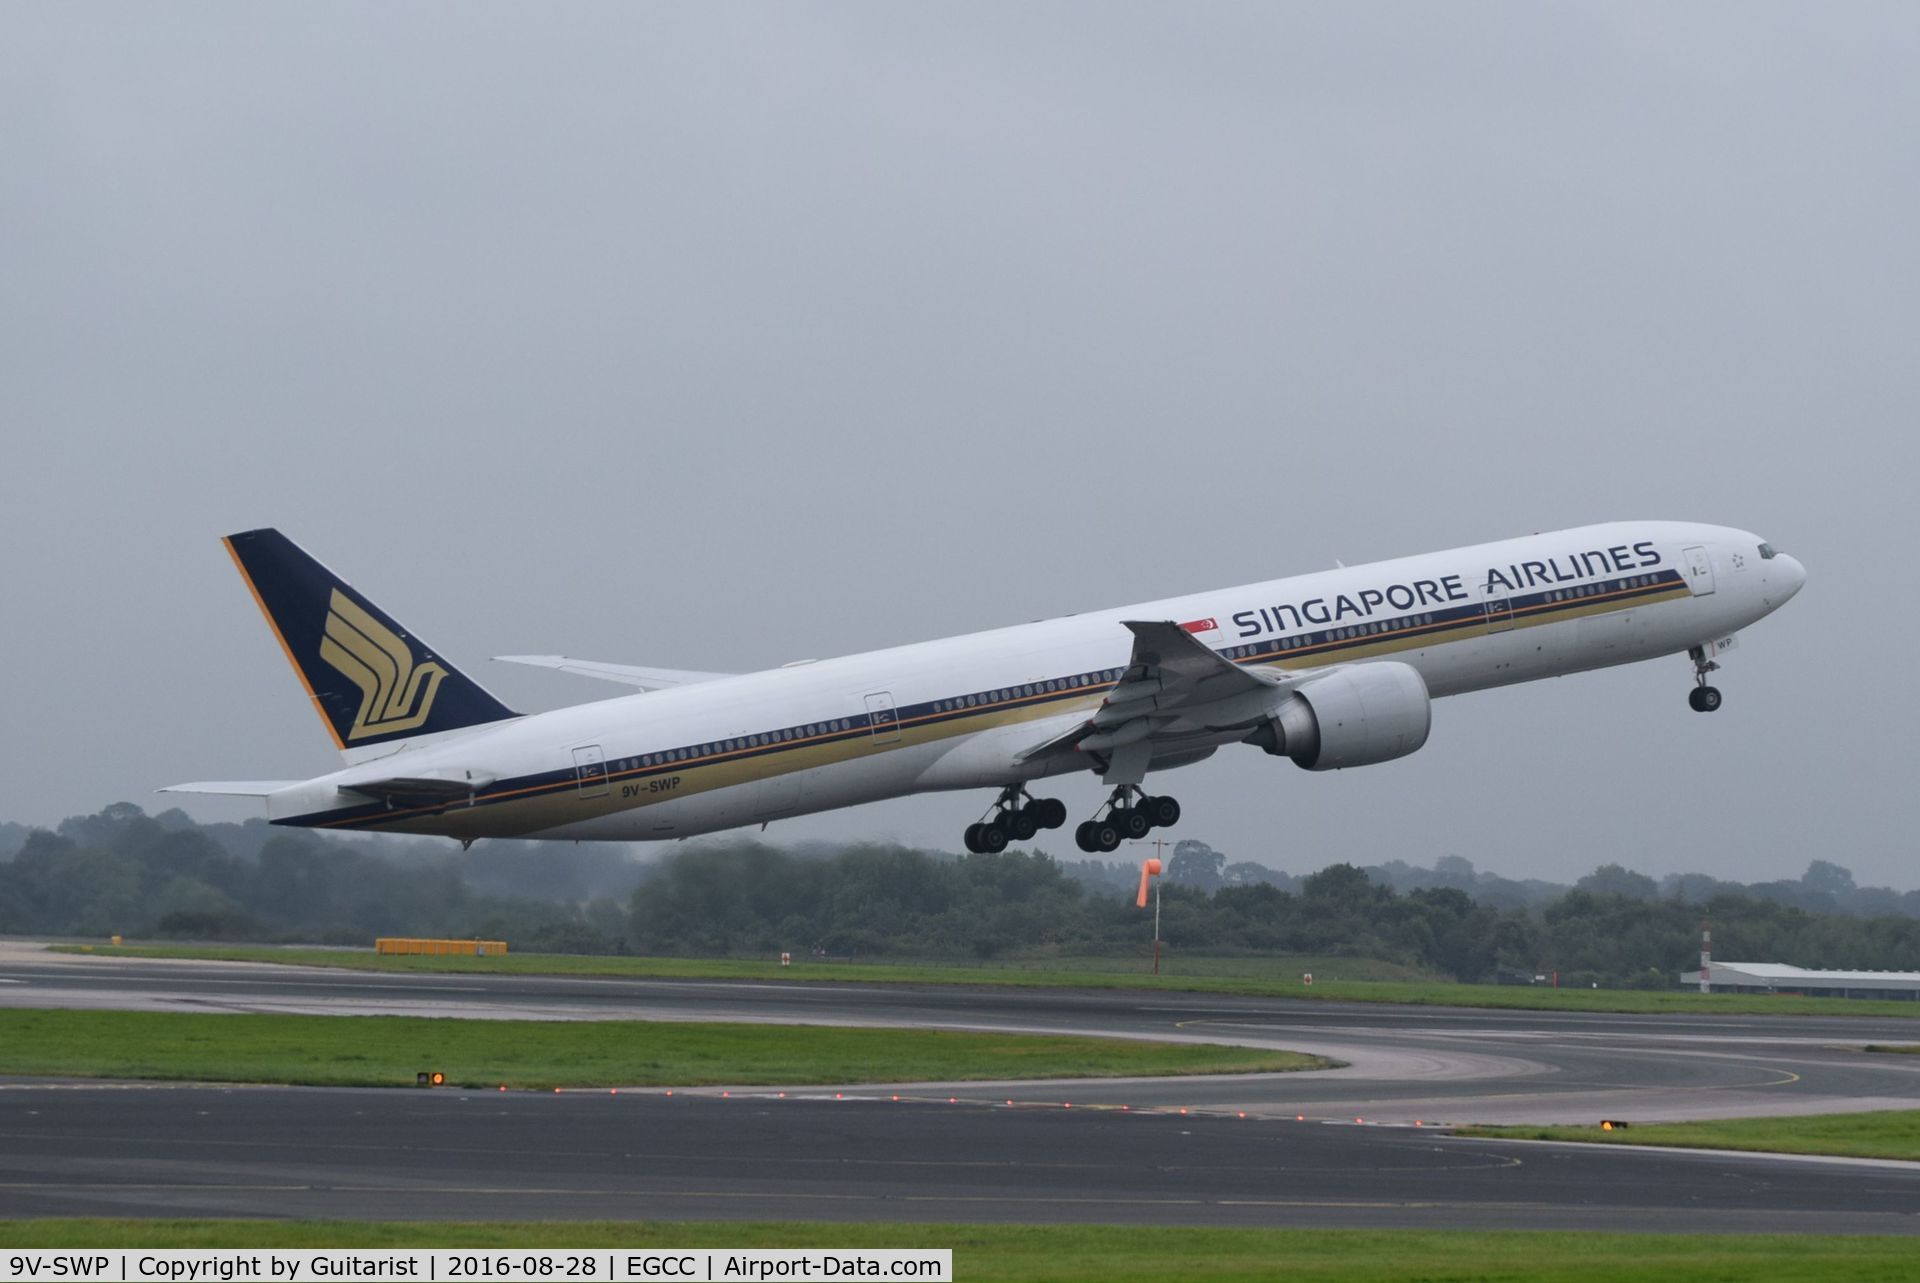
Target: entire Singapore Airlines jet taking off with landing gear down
(1333,669)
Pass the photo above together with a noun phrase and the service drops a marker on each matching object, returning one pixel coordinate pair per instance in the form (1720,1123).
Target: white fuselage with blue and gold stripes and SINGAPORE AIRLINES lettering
(963,712)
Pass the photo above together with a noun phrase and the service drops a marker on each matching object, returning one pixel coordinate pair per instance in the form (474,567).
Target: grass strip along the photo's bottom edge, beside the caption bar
(1118,1253)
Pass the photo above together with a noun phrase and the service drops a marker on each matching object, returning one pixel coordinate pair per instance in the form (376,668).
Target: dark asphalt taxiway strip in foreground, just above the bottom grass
(410,1155)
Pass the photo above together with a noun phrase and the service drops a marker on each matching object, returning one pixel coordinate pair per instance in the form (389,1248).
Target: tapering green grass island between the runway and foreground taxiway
(372,1052)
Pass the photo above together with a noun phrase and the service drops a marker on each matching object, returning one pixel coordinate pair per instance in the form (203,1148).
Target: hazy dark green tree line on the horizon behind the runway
(128,873)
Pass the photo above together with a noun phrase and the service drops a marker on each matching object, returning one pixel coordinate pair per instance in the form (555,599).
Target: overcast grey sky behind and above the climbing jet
(729,335)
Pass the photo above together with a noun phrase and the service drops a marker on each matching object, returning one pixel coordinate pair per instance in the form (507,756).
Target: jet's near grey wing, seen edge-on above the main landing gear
(1174,689)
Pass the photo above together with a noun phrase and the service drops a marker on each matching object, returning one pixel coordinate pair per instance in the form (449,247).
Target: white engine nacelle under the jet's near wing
(1353,717)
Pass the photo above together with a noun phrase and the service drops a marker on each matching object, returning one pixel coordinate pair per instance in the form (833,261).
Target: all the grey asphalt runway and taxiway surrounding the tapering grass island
(72,1150)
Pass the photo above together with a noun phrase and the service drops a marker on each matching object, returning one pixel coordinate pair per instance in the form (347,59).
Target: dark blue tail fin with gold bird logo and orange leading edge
(372,681)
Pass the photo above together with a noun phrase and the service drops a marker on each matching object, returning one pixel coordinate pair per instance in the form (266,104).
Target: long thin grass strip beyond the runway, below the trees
(1349,980)
